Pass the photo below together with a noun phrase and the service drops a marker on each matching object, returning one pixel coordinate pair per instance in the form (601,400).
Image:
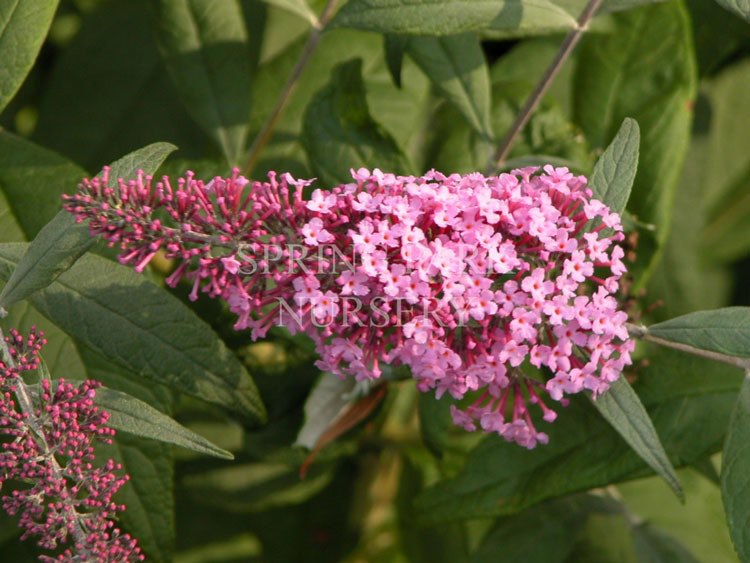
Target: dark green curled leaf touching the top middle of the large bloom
(339,133)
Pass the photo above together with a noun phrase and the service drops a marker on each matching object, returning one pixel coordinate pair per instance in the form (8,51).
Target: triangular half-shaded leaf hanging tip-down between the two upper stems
(458,69)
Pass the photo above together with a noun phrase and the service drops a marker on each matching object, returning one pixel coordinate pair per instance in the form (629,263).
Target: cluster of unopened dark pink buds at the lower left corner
(63,500)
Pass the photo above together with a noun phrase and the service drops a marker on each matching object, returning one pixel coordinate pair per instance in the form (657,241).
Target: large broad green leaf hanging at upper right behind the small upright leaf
(645,70)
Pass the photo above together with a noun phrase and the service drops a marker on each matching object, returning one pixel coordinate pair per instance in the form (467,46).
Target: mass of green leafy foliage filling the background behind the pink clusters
(403,85)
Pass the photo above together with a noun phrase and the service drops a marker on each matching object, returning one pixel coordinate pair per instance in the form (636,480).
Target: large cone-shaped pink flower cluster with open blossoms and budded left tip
(500,288)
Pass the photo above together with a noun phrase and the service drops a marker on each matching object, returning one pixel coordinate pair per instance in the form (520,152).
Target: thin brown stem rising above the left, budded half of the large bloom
(264,135)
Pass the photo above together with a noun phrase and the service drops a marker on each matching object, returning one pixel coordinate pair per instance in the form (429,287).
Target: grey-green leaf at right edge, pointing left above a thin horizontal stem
(726,331)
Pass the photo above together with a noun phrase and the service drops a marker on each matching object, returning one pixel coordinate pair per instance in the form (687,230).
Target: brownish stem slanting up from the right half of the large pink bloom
(536,96)
